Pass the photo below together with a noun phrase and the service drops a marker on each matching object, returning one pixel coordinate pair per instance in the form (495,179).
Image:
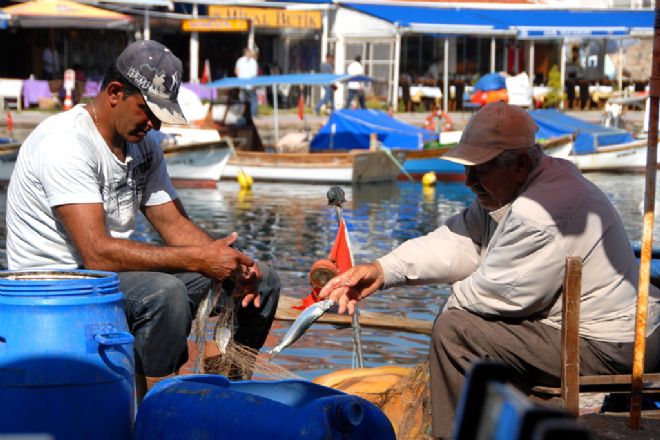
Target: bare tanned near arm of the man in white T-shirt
(85,225)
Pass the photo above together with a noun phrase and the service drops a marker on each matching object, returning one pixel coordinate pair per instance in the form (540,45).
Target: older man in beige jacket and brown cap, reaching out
(504,257)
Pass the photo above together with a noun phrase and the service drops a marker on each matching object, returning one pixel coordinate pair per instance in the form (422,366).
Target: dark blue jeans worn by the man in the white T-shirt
(160,308)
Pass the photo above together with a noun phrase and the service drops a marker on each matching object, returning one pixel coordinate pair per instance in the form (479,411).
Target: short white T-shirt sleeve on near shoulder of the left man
(68,170)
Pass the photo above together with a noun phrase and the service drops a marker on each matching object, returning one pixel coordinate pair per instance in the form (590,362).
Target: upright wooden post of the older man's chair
(570,335)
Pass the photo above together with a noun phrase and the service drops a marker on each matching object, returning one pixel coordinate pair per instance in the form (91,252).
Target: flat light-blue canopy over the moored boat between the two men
(303,79)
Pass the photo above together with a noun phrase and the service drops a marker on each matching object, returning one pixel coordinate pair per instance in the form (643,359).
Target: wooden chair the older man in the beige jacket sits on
(571,383)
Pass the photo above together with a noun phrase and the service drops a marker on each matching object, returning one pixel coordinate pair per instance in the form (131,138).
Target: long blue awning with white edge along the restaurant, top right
(527,23)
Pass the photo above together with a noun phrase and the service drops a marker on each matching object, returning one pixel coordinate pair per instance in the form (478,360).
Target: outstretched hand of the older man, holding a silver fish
(353,285)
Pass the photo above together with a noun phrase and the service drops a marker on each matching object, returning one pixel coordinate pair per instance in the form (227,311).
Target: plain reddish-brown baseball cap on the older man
(496,128)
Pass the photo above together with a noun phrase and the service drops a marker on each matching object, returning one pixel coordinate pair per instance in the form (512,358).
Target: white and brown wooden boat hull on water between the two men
(357,166)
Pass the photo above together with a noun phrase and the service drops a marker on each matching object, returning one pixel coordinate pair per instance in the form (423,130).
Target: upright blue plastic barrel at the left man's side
(66,356)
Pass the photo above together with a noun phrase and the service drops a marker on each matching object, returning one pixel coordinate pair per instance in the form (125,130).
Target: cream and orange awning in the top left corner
(64,14)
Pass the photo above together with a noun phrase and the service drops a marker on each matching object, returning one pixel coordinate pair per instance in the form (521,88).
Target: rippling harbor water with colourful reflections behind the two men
(291,226)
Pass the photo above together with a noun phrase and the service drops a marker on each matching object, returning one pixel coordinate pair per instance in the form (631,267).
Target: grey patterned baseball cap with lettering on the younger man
(157,73)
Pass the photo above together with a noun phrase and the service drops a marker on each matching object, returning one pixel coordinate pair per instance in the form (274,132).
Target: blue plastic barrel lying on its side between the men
(212,407)
